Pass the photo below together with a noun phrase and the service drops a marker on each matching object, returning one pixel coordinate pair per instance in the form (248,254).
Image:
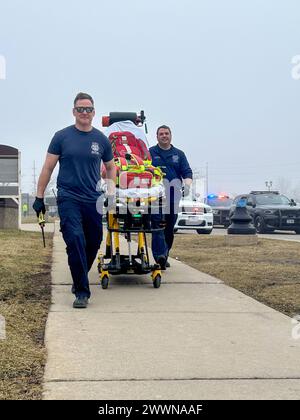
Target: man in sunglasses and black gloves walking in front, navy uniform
(79,149)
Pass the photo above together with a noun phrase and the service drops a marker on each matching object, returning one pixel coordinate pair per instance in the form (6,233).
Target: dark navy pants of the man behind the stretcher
(162,241)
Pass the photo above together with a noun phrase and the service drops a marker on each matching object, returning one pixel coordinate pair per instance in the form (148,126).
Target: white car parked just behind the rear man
(194,215)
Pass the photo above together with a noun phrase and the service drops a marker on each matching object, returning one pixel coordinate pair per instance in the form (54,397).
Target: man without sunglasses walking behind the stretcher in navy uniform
(178,179)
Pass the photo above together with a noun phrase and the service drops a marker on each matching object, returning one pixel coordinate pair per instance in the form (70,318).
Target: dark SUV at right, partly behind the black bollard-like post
(270,211)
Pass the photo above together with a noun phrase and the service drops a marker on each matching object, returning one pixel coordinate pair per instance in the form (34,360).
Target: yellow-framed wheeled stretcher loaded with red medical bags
(139,194)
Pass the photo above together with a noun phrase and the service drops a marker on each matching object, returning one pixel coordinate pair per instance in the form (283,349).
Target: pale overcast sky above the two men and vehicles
(218,72)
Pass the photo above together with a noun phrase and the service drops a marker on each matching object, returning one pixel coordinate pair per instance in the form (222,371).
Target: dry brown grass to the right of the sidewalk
(268,272)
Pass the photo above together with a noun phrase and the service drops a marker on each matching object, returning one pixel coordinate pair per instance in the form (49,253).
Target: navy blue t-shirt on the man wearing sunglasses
(80,154)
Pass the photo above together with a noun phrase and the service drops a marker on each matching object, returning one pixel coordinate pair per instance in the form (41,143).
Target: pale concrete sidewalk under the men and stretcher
(193,338)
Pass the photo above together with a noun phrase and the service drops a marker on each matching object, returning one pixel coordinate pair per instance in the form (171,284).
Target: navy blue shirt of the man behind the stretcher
(174,164)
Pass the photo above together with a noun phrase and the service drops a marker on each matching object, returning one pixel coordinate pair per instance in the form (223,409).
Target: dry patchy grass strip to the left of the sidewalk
(25,289)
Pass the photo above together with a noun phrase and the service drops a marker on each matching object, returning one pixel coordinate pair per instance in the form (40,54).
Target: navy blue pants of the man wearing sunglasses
(81,227)
